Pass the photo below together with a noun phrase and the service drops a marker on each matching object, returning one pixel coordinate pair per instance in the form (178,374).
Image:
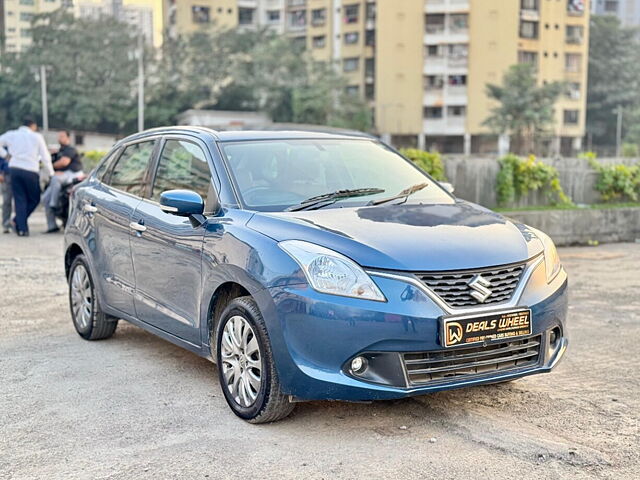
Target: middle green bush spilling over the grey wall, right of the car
(517,177)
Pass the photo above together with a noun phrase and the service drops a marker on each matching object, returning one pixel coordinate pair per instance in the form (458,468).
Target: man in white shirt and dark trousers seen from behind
(27,149)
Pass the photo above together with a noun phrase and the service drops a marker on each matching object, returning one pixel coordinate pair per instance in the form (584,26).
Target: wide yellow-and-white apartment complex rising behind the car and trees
(424,64)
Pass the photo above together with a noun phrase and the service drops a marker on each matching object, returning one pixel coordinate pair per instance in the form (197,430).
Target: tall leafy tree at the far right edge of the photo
(614,78)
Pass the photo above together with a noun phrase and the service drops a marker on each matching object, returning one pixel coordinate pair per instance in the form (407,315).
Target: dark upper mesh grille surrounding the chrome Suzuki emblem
(454,289)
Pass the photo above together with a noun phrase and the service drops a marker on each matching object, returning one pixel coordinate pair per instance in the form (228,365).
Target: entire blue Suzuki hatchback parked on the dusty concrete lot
(309,266)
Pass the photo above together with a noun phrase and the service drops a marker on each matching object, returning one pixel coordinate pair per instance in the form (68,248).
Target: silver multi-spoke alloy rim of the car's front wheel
(241,361)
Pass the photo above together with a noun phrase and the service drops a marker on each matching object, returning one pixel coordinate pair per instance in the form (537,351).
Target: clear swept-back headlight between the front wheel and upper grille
(330,272)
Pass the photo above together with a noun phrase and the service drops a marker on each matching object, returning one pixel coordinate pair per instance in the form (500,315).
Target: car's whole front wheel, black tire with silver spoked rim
(246,368)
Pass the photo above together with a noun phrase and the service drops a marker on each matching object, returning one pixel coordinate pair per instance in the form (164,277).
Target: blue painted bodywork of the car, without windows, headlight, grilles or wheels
(165,278)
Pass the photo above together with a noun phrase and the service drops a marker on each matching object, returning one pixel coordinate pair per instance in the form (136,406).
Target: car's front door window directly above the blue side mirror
(182,166)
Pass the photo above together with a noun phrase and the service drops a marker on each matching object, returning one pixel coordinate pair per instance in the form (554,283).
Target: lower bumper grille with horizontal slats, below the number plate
(442,365)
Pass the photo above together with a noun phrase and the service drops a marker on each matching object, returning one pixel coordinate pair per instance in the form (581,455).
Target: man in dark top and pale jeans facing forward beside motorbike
(67,166)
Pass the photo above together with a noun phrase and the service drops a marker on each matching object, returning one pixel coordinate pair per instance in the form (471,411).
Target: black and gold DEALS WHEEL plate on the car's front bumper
(467,330)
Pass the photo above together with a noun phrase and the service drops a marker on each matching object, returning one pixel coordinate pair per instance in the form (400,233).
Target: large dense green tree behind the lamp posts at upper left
(90,73)
